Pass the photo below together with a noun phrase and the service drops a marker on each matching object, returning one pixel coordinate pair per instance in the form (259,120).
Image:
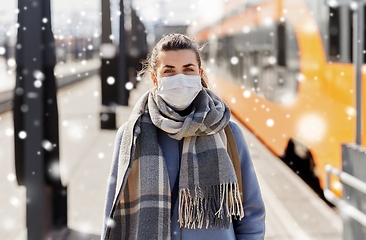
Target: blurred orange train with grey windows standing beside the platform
(285,68)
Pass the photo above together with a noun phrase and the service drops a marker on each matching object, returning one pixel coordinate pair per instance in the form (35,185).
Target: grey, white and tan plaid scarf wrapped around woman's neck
(208,187)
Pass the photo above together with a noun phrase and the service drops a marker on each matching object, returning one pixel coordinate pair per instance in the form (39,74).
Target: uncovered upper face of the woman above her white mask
(171,63)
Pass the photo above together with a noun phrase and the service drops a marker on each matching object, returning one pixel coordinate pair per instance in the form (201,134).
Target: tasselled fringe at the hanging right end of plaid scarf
(216,204)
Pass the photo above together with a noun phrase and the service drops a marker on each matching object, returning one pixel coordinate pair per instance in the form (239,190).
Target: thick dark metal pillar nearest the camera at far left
(36,121)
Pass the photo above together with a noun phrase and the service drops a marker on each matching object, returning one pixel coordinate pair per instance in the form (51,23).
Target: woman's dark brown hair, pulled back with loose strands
(173,42)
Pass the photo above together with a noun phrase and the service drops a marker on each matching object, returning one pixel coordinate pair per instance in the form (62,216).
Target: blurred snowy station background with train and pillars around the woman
(290,70)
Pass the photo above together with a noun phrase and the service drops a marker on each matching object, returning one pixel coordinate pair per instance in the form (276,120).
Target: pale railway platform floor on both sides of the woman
(294,211)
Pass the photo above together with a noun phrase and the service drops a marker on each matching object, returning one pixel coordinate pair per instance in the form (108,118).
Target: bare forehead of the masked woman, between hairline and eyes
(177,57)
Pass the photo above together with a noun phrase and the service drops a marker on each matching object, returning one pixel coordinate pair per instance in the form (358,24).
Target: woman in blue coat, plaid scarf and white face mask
(172,176)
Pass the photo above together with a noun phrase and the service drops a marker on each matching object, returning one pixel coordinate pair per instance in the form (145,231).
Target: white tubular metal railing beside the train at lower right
(341,204)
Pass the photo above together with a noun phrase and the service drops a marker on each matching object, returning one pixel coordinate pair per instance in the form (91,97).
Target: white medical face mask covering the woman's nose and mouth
(179,90)
